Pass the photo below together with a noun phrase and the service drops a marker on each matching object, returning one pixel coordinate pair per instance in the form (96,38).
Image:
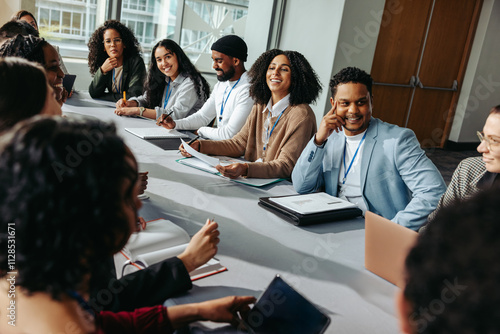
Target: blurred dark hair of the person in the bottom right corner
(453,271)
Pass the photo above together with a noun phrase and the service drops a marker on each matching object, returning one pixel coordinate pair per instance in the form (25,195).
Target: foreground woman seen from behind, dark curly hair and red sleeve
(59,243)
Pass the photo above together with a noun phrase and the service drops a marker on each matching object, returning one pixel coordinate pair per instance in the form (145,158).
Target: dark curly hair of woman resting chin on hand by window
(97,53)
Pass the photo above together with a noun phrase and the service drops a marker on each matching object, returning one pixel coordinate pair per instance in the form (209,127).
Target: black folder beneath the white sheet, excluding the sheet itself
(308,219)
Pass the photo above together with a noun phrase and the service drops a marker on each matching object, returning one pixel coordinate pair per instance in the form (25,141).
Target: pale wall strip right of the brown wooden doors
(481,86)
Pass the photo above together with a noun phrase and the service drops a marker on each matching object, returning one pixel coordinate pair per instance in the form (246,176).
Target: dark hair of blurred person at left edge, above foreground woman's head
(20,98)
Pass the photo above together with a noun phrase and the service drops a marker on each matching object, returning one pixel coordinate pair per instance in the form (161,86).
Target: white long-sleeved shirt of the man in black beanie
(236,110)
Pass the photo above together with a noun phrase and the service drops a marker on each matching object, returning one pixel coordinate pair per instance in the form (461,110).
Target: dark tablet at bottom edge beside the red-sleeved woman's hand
(281,309)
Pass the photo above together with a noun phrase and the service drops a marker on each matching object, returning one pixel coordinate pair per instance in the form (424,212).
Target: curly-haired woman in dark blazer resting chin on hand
(115,62)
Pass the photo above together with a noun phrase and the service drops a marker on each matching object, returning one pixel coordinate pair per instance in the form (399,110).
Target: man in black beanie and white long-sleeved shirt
(230,102)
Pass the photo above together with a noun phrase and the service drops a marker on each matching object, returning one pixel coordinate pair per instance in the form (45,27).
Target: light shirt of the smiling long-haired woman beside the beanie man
(183,99)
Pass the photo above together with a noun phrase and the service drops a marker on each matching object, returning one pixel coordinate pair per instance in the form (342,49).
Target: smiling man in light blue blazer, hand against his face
(376,165)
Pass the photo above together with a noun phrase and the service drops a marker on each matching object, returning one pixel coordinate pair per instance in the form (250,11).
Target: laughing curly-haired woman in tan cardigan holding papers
(281,122)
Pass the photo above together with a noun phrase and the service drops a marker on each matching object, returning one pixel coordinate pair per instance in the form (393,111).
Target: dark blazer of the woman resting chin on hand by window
(134,73)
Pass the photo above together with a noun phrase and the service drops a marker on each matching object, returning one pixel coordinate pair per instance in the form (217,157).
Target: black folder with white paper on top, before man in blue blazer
(310,209)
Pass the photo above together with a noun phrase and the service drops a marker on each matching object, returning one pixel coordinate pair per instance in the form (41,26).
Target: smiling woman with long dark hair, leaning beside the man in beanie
(173,86)
